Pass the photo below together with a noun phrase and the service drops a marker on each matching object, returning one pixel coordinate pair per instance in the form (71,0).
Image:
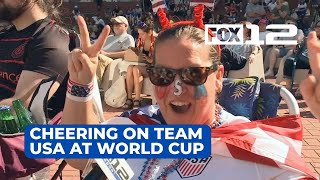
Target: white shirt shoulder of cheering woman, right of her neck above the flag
(228,119)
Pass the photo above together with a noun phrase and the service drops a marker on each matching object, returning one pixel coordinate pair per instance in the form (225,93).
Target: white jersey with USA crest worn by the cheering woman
(216,167)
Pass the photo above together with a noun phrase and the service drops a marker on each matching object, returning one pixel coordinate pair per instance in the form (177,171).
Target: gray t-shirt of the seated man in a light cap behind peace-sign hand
(119,43)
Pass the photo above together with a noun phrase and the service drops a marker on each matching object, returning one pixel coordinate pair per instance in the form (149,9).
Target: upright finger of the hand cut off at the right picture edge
(314,54)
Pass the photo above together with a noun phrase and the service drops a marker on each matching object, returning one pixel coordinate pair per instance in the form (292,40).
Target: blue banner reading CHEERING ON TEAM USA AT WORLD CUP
(118,141)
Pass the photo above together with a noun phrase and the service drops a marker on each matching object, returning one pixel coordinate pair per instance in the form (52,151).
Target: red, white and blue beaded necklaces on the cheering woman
(151,166)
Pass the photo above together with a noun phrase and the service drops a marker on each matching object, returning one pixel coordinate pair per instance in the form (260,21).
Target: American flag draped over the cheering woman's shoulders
(275,142)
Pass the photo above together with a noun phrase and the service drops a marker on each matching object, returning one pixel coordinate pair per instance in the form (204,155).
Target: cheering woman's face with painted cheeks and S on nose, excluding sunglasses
(192,104)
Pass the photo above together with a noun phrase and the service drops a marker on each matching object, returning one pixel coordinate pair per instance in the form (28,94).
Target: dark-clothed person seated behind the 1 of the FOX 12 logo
(235,57)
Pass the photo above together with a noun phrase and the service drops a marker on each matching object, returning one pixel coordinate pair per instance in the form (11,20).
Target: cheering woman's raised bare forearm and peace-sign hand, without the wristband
(82,67)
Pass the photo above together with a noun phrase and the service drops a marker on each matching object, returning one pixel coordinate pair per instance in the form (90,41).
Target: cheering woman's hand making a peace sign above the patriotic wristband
(82,64)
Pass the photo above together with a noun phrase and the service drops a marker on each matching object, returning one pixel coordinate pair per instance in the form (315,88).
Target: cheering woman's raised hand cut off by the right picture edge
(310,87)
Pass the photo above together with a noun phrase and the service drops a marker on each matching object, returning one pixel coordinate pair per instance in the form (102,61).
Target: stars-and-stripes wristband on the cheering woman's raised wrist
(79,92)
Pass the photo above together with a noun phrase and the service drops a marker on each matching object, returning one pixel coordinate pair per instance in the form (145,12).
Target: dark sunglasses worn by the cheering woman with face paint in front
(194,76)
